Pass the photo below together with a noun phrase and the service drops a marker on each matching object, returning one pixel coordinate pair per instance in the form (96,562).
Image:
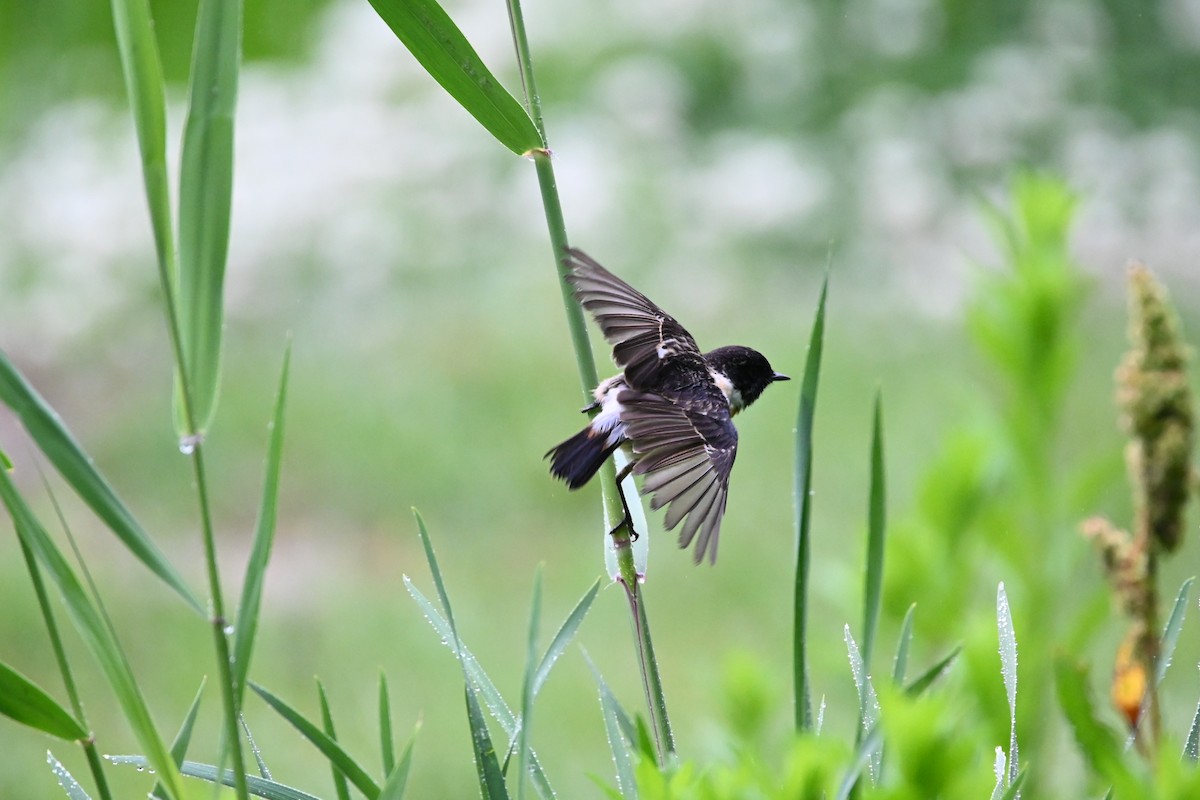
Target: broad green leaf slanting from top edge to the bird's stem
(437,44)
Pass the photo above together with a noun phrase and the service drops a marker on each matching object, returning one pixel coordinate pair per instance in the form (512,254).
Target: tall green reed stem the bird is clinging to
(652,683)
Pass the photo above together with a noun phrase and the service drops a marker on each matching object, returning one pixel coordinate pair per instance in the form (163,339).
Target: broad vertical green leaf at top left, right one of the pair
(206,195)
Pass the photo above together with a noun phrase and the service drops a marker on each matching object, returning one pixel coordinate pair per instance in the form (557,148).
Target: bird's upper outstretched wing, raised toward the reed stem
(655,351)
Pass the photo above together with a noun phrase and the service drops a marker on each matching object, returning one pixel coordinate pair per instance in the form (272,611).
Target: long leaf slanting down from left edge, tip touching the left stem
(77,468)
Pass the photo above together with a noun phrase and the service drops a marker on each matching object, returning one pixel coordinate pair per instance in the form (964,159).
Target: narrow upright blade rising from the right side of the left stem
(251,601)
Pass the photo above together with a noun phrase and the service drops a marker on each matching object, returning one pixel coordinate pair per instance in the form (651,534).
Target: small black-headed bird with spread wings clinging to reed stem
(671,407)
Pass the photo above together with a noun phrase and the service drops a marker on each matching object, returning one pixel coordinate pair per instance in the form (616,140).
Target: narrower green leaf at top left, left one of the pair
(146,87)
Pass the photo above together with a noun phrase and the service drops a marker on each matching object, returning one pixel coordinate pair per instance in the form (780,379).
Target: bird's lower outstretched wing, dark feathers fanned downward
(686,454)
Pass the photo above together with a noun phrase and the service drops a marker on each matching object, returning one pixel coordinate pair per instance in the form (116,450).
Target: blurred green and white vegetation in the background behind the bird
(719,157)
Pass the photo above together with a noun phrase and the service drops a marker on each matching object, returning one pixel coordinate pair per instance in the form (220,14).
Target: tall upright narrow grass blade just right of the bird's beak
(803,700)
